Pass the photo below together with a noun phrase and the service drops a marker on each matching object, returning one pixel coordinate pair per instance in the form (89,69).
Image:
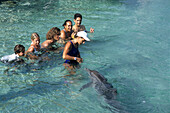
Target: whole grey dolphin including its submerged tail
(101,85)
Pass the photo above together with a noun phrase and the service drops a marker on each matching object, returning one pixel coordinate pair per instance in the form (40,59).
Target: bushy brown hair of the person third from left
(52,32)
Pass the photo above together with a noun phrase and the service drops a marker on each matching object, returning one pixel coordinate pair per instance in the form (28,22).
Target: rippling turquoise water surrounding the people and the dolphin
(130,47)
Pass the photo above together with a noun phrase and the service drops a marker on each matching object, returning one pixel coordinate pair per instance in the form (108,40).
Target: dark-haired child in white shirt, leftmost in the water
(19,50)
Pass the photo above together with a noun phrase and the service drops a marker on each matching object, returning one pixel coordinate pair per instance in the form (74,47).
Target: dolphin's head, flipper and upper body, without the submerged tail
(99,82)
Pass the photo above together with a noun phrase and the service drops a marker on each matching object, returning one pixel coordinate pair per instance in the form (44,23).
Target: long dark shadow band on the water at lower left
(39,88)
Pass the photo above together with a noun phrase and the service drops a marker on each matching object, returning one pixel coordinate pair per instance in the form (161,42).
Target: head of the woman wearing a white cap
(82,37)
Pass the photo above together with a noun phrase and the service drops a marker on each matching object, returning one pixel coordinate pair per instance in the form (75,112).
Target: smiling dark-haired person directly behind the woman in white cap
(67,31)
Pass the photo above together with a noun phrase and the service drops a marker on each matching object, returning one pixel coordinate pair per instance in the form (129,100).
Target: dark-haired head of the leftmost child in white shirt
(19,49)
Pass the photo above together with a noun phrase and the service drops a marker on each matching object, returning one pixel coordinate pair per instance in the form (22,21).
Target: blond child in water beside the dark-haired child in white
(35,46)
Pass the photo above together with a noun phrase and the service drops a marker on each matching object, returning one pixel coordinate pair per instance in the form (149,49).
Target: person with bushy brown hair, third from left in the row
(52,37)
